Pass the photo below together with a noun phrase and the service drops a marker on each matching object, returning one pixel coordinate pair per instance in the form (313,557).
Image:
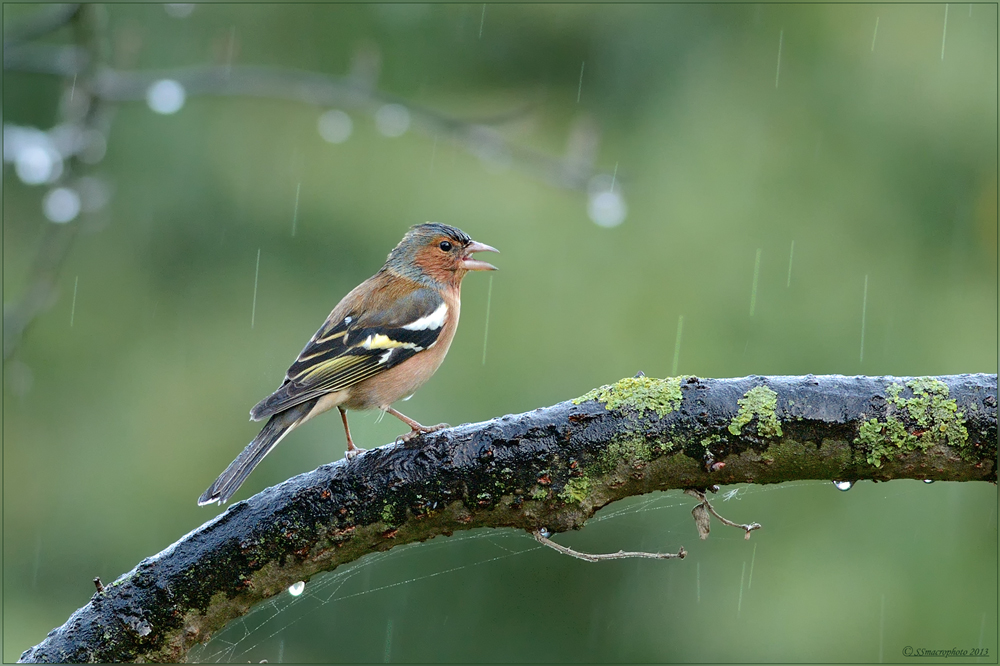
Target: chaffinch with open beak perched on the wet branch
(382,341)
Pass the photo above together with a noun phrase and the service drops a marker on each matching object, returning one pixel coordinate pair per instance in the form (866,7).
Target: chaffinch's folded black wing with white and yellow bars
(358,345)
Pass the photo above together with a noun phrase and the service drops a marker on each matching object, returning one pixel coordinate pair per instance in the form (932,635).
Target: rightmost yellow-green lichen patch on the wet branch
(934,419)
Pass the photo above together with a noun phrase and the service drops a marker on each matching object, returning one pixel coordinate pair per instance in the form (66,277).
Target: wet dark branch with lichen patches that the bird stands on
(544,471)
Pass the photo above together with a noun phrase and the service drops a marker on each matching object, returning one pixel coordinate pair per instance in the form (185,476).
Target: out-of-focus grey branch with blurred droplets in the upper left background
(99,88)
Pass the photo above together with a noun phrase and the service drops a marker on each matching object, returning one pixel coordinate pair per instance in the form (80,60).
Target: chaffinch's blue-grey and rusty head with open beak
(437,252)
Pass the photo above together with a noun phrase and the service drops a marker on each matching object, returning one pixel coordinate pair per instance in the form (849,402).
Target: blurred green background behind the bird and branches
(872,148)
